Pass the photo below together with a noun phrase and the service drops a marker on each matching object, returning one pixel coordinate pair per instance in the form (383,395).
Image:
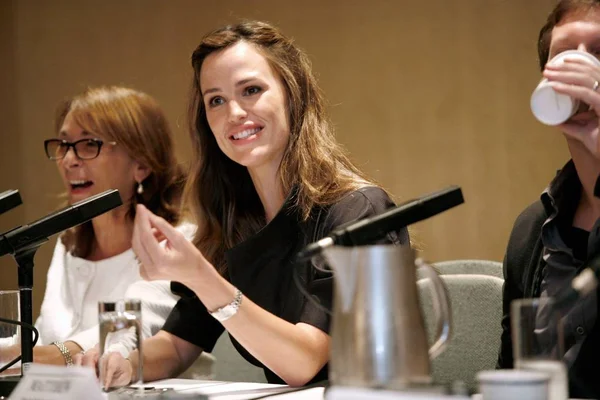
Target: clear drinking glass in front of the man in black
(538,342)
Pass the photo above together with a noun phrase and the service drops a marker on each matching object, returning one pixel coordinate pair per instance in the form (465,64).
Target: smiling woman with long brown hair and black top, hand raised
(268,178)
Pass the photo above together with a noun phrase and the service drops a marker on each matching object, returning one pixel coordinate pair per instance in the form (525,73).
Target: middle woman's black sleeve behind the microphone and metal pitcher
(362,203)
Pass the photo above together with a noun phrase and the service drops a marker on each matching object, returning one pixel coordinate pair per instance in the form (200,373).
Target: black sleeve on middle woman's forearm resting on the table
(190,320)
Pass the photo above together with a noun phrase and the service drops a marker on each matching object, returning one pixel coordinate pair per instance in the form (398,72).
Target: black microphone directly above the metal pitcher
(368,230)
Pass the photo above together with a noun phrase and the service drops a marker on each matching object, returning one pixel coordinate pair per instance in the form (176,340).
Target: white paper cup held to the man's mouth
(553,108)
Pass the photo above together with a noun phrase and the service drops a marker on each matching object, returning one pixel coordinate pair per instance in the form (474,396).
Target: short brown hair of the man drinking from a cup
(562,9)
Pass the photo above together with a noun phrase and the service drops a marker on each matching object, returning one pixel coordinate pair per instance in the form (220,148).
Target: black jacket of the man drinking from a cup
(543,246)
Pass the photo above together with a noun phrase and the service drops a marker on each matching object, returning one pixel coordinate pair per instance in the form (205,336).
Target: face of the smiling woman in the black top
(243,100)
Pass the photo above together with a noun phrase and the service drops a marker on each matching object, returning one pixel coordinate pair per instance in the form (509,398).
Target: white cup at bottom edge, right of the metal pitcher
(513,384)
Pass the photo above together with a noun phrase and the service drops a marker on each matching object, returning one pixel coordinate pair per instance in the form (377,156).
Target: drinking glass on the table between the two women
(120,332)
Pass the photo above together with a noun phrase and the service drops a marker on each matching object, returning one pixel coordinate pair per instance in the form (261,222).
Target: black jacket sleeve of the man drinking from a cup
(519,261)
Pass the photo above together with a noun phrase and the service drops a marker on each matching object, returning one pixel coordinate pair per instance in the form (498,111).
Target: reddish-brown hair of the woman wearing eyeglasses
(136,122)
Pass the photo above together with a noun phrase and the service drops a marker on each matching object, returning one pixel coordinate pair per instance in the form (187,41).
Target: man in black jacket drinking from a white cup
(554,237)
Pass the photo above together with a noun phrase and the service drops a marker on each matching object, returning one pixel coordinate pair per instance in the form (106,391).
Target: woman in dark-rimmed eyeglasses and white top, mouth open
(107,138)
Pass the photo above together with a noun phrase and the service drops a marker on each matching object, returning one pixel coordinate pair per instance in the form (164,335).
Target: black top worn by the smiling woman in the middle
(262,268)
